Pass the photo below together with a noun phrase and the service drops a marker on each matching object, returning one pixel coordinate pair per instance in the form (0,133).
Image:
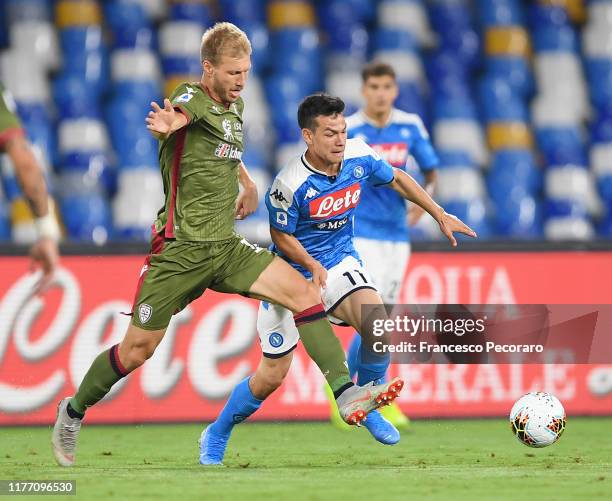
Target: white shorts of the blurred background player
(387,263)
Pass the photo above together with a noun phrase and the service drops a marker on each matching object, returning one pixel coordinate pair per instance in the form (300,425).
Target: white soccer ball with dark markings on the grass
(537,419)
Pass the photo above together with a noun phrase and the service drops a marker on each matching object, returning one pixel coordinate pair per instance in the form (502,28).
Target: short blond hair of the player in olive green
(224,39)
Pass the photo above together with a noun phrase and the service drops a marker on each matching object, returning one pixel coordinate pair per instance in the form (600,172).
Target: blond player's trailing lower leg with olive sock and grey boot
(109,367)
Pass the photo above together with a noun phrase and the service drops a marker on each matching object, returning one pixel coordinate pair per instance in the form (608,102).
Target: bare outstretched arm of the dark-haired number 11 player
(409,189)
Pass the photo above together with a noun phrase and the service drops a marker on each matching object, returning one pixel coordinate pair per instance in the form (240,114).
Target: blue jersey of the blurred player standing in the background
(381,215)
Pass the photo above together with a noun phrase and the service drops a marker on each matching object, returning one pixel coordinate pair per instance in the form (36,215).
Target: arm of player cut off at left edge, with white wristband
(31,179)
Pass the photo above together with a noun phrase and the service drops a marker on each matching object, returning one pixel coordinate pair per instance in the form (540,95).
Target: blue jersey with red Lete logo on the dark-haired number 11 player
(318,209)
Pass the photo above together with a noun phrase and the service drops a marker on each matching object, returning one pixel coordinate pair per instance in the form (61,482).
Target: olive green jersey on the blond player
(200,165)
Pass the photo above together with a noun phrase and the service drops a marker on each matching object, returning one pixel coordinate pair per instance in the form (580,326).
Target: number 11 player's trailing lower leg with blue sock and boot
(247,396)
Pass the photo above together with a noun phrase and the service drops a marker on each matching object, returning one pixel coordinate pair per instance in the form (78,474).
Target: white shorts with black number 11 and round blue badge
(278,334)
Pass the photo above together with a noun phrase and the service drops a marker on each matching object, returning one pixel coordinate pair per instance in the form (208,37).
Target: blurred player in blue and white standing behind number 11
(382,237)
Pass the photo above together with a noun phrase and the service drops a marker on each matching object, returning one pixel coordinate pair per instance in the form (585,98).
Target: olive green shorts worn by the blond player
(178,272)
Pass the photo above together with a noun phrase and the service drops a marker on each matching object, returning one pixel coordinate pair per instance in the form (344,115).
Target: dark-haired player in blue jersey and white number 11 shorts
(311,204)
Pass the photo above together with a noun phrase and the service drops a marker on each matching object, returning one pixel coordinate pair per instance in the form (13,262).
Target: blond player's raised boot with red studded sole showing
(356,402)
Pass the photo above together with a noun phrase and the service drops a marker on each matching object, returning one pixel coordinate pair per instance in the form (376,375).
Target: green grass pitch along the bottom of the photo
(471,459)
